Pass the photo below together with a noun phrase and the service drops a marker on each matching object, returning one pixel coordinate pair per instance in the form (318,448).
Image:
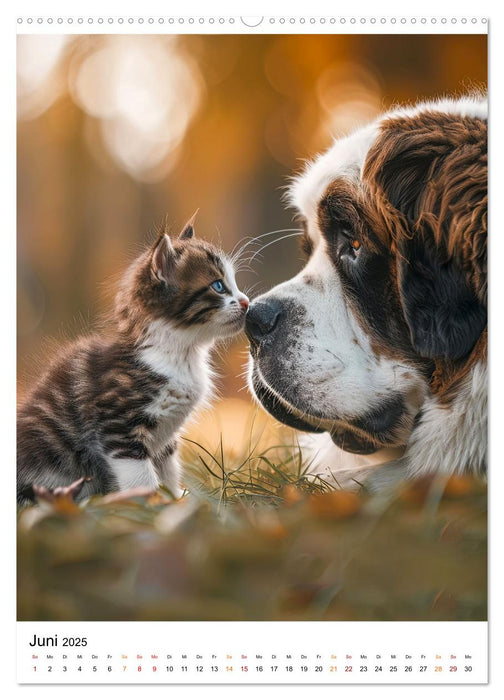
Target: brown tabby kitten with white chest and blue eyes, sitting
(111,409)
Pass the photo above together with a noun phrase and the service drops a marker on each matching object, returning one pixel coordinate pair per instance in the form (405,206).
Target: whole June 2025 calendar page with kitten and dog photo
(251,348)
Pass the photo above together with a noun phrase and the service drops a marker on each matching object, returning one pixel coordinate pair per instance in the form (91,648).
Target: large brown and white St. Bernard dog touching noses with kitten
(380,342)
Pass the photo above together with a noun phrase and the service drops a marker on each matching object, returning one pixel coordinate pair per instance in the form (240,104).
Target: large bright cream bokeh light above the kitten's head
(146,91)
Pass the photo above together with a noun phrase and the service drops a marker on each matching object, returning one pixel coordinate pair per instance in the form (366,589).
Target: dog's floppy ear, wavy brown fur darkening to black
(429,175)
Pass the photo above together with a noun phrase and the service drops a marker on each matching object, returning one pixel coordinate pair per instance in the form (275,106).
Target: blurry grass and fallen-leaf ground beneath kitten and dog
(256,538)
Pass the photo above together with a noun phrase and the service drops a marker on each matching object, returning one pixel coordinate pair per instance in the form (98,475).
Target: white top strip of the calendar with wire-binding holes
(258,17)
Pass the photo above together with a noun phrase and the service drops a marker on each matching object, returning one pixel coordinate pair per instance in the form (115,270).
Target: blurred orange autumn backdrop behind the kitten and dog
(115,132)
